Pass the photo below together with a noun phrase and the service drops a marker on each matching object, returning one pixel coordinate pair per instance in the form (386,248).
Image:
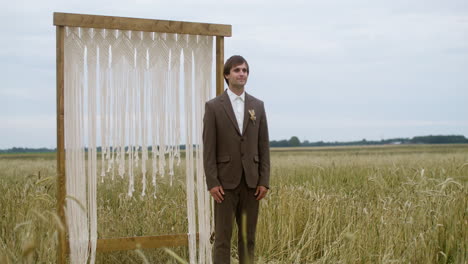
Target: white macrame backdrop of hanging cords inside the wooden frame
(125,86)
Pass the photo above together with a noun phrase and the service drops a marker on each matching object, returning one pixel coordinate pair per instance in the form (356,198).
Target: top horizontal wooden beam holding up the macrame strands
(139,24)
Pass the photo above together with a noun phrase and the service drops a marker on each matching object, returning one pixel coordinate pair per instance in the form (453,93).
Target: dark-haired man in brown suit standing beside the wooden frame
(237,161)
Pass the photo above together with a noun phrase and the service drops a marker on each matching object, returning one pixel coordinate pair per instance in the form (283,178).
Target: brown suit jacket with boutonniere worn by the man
(227,151)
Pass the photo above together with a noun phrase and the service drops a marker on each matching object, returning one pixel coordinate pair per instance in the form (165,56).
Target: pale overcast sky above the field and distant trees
(326,69)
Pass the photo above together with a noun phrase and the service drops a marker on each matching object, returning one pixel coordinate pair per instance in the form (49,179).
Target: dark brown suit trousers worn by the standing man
(239,203)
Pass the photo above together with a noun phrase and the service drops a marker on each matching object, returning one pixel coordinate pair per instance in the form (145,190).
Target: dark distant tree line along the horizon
(295,142)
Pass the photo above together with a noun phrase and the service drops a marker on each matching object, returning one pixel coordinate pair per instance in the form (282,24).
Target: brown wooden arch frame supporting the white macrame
(61,20)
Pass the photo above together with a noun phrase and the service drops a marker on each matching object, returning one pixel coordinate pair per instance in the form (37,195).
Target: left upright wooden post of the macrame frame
(62,233)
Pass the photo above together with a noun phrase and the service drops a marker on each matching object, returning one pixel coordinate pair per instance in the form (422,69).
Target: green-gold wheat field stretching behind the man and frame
(386,204)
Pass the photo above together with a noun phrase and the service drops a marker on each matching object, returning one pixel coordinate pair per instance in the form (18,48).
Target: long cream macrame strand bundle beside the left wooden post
(76,185)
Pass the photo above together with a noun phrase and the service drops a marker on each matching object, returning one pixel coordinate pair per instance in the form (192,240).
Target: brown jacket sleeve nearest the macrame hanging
(209,148)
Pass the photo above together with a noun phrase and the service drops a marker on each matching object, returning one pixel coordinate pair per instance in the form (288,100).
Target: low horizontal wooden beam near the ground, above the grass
(130,243)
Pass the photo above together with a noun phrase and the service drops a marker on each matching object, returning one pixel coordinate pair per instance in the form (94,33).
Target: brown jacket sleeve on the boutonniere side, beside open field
(264,152)
